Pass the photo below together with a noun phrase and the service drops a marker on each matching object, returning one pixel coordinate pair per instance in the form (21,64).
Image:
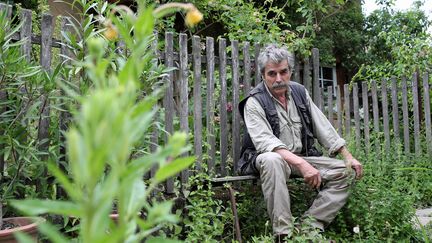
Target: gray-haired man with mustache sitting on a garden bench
(282,123)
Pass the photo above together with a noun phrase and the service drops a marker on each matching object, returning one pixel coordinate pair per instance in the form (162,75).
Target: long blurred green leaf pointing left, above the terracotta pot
(36,207)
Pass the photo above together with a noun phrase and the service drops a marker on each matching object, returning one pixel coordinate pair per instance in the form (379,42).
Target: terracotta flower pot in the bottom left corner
(27,225)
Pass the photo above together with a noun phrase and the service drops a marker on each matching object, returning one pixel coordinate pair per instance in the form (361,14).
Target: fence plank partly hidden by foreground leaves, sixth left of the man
(168,101)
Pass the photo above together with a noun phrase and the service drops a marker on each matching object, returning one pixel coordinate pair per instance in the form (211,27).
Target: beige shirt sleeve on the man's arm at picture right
(324,131)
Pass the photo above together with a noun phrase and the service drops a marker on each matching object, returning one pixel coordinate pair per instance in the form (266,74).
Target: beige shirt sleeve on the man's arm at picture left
(259,128)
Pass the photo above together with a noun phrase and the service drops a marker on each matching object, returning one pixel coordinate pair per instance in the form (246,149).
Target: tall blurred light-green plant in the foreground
(111,121)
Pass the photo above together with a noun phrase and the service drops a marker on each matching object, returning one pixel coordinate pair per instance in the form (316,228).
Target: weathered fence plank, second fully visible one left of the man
(223,105)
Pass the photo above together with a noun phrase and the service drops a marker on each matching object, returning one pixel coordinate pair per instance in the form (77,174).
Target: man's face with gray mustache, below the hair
(277,76)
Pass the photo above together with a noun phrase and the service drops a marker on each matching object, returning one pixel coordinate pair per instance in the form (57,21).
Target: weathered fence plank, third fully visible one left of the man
(211,137)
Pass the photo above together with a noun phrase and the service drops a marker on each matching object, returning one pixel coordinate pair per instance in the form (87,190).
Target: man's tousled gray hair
(274,54)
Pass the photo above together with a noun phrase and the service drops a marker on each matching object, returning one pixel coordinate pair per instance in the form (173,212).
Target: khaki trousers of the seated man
(274,174)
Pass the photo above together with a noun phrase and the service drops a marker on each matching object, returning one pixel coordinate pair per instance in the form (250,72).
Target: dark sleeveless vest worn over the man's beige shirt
(248,153)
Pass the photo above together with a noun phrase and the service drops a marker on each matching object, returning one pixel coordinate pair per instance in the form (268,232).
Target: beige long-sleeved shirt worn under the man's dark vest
(290,127)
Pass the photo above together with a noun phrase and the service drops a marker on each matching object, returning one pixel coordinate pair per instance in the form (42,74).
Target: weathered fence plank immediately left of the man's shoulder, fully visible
(236,114)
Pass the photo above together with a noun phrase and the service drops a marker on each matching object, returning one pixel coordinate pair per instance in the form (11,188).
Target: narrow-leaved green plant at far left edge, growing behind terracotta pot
(20,81)
